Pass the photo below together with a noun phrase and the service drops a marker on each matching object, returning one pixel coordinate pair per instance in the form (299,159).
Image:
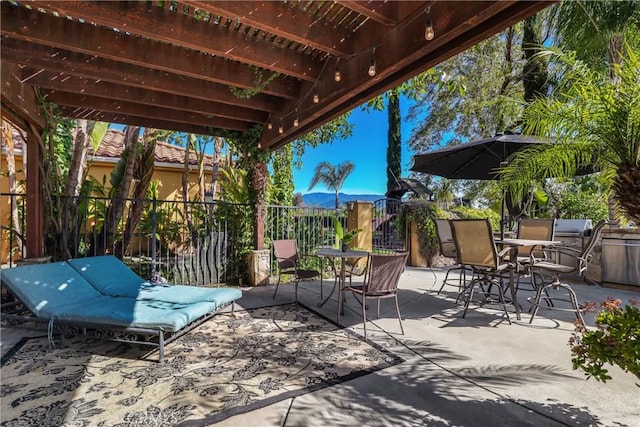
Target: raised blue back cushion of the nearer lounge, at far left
(44,288)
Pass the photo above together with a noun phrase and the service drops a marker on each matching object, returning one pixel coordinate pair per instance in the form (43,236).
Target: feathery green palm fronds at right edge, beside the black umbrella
(594,119)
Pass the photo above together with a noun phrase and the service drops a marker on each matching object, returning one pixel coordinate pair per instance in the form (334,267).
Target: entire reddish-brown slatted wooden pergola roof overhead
(179,65)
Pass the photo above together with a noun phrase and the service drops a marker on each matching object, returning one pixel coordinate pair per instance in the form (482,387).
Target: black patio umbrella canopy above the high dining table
(479,159)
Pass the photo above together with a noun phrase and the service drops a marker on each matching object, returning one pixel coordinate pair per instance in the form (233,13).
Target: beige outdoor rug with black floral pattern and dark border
(231,364)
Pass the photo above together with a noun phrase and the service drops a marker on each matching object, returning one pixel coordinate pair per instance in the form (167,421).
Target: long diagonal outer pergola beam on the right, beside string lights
(399,61)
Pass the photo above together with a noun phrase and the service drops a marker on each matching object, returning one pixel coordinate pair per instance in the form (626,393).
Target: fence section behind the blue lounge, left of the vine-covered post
(181,242)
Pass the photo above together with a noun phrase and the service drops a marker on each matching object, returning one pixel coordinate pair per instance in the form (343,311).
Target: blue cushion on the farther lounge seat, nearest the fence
(112,277)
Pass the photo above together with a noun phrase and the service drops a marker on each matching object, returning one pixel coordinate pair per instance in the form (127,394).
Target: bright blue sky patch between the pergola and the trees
(366,148)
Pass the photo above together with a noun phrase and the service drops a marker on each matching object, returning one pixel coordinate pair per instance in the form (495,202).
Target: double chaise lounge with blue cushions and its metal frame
(103,294)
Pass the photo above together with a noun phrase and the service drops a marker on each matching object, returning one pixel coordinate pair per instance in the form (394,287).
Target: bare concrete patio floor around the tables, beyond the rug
(477,371)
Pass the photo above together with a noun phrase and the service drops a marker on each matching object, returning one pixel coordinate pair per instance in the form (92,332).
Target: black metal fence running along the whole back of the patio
(182,242)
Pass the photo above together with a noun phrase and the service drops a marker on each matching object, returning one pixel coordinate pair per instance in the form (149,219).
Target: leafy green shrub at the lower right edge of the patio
(616,341)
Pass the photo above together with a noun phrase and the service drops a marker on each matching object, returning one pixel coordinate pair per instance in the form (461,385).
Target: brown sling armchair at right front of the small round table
(381,281)
